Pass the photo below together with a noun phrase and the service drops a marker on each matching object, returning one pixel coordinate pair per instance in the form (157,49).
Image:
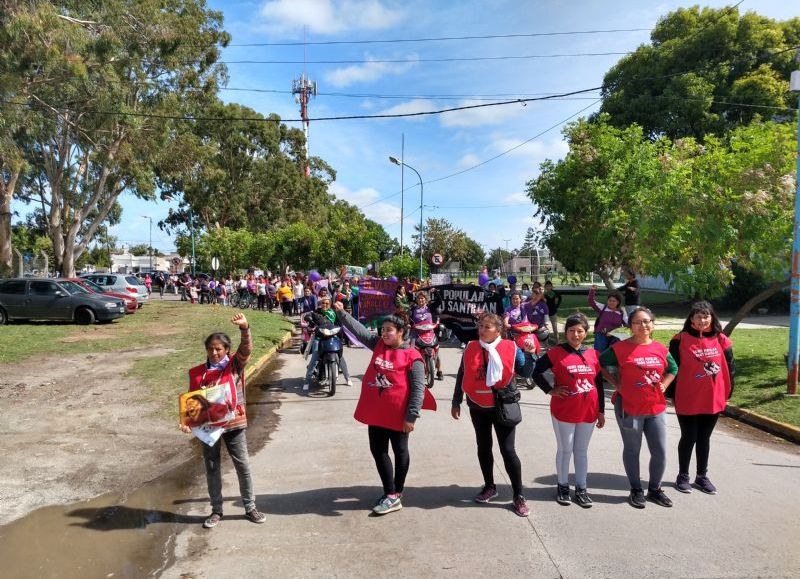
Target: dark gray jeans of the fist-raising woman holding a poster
(236,443)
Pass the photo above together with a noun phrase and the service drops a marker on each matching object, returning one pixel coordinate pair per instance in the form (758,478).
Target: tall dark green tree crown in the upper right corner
(698,62)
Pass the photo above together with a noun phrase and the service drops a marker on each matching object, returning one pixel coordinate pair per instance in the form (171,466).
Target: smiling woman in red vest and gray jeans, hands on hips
(646,369)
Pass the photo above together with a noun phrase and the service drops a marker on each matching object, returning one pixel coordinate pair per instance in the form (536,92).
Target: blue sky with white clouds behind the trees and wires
(474,163)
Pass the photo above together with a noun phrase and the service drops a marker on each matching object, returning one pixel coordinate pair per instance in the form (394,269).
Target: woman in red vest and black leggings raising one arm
(392,394)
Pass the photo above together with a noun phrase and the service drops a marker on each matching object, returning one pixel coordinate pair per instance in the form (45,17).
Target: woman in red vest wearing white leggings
(577,403)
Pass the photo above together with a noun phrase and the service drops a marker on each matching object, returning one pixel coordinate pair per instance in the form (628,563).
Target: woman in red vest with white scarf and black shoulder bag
(490,363)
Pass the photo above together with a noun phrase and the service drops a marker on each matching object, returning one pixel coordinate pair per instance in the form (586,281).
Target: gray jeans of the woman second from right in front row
(631,428)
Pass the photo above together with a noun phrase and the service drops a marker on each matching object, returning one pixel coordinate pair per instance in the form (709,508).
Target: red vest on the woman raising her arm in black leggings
(385,388)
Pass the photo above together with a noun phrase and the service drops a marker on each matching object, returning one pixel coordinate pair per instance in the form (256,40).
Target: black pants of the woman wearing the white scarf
(482,421)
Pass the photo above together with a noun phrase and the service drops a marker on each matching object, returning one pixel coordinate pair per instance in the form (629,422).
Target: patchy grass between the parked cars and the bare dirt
(176,329)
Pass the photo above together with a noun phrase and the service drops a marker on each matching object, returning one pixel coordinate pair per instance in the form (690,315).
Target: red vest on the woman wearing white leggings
(578,376)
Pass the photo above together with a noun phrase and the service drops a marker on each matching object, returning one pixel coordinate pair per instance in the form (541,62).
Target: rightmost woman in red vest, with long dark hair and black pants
(703,386)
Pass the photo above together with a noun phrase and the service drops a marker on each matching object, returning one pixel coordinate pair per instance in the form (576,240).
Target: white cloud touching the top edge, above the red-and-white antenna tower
(327,17)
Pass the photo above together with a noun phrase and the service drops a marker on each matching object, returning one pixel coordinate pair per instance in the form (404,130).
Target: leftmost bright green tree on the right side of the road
(590,202)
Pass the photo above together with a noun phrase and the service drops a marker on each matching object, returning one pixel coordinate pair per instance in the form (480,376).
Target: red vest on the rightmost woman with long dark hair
(703,384)
